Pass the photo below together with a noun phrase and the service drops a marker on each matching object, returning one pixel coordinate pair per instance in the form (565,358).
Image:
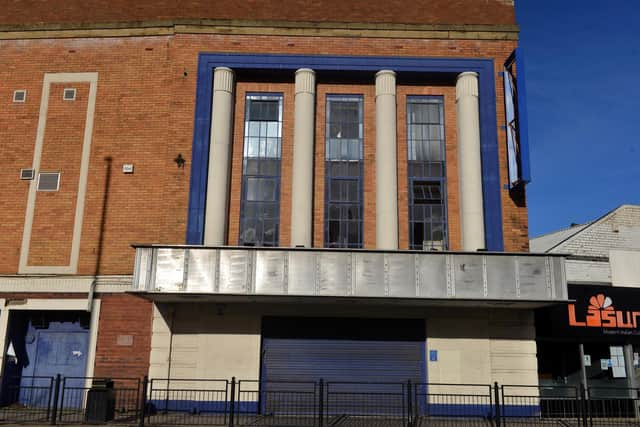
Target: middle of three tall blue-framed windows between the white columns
(343,172)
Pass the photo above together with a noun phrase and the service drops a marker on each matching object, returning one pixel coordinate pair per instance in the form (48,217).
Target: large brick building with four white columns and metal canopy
(267,190)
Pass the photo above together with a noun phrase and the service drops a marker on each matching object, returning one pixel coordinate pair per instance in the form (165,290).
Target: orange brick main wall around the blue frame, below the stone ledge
(144,115)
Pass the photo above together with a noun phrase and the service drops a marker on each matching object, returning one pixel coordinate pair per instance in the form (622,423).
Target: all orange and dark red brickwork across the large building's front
(145,116)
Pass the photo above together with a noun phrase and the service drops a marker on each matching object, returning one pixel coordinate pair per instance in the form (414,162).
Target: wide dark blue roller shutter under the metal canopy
(346,350)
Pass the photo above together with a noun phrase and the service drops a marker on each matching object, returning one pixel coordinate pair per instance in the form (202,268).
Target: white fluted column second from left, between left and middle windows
(302,178)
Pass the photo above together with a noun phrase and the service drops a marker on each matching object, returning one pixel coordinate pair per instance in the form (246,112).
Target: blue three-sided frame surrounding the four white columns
(488,124)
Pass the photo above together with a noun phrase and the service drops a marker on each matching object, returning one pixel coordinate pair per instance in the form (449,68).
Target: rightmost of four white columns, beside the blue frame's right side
(469,162)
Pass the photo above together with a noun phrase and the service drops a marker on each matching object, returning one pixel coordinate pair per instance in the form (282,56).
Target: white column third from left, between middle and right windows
(386,164)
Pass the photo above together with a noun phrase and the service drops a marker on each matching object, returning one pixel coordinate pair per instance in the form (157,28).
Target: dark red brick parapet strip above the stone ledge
(389,11)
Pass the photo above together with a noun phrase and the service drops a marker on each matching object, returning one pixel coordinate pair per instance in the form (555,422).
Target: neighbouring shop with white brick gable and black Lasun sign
(594,340)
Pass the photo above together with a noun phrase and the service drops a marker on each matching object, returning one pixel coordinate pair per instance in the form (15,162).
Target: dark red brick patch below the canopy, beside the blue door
(123,316)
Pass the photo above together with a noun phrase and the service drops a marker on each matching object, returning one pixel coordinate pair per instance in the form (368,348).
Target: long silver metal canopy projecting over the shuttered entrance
(210,273)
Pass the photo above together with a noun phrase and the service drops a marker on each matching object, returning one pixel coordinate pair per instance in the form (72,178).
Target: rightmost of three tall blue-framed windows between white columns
(426,171)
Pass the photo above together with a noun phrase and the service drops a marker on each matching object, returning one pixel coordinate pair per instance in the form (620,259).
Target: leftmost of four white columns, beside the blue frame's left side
(215,226)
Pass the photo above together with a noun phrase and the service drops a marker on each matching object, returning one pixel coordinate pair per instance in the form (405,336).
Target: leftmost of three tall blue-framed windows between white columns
(260,197)
